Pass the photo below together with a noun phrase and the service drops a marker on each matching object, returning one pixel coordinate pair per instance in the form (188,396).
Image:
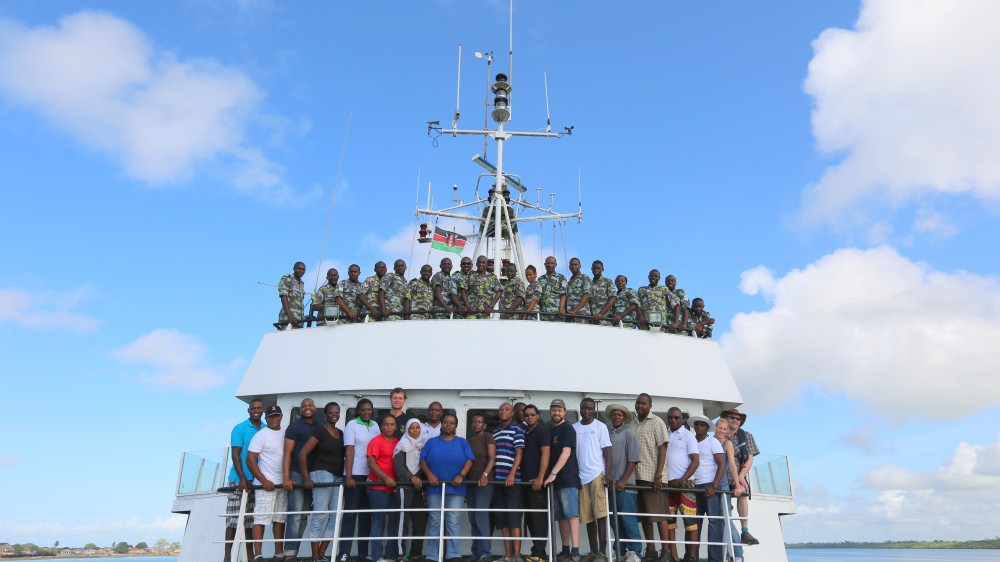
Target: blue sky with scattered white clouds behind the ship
(823,174)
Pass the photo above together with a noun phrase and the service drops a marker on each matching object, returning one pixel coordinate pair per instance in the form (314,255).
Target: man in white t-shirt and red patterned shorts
(682,462)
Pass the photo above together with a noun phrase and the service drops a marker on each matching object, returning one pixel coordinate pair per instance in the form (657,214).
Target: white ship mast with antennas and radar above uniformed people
(500,214)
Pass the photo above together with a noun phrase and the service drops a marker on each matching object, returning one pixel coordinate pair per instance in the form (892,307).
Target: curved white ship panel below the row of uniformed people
(450,355)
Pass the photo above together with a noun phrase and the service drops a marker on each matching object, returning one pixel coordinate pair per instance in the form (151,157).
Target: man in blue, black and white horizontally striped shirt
(509,438)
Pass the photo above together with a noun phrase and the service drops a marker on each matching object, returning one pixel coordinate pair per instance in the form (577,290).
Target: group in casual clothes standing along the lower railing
(503,477)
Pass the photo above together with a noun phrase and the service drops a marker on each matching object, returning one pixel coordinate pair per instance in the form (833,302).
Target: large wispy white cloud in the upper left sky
(100,79)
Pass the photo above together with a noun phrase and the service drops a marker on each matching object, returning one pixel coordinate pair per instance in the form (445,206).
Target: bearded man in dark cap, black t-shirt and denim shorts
(565,474)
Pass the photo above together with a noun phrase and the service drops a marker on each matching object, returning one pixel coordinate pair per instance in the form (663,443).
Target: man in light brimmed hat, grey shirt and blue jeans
(624,458)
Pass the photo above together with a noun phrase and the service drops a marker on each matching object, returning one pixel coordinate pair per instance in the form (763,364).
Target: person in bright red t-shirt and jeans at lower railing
(383,498)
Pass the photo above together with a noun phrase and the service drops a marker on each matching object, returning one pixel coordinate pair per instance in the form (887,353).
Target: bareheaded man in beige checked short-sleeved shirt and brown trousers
(651,433)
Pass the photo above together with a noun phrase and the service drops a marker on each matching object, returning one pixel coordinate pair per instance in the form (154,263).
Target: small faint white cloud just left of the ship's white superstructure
(172,359)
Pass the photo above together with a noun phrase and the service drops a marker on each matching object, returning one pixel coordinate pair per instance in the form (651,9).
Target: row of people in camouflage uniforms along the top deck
(477,292)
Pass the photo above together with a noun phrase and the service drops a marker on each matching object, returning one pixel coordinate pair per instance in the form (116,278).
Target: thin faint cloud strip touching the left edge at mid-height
(46,309)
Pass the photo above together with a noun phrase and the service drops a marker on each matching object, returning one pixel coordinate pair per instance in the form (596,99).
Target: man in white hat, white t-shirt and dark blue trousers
(711,468)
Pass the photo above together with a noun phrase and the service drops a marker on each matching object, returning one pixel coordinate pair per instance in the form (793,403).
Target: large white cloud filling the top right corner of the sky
(909,97)
